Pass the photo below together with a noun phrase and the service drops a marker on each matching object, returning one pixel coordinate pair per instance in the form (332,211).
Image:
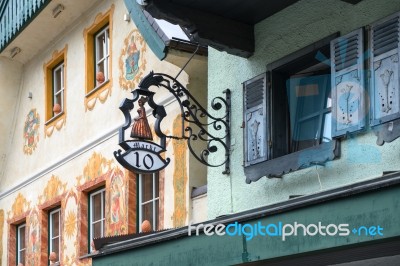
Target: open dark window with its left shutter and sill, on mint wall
(288,113)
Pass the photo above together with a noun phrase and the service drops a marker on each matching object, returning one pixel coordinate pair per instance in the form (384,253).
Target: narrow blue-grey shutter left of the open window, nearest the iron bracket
(255,119)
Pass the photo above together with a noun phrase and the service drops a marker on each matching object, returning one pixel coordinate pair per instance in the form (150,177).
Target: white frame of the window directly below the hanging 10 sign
(153,200)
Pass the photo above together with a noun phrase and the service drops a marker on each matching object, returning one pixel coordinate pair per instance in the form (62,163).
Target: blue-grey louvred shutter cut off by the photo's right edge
(385,95)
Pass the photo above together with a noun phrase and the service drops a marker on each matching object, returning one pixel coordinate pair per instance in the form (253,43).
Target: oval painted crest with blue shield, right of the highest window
(132,62)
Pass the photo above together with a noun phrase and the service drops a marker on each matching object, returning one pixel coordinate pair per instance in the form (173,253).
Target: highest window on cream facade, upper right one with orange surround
(101,43)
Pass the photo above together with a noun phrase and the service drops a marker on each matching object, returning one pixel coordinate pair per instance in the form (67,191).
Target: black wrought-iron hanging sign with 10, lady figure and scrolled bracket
(207,136)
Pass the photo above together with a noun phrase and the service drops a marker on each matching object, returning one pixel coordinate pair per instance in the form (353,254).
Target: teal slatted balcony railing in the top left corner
(15,15)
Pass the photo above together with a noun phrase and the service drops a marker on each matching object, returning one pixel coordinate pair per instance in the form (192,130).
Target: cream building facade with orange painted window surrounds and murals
(65,69)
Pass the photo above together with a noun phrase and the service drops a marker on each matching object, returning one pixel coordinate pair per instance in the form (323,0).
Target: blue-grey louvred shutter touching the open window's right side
(347,78)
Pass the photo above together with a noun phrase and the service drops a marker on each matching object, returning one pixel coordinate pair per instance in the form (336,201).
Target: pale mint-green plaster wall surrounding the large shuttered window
(288,31)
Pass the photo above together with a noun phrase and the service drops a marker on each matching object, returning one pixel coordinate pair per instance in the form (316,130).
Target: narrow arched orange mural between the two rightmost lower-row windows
(117,202)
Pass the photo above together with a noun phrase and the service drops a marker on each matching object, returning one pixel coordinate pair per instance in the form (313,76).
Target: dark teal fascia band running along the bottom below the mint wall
(380,207)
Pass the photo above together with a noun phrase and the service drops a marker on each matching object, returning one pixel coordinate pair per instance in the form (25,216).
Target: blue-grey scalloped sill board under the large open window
(294,161)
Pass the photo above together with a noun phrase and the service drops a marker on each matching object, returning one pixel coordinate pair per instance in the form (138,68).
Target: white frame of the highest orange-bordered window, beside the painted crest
(106,52)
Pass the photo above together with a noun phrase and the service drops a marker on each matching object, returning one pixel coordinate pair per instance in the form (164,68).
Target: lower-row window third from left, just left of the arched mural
(97,214)
